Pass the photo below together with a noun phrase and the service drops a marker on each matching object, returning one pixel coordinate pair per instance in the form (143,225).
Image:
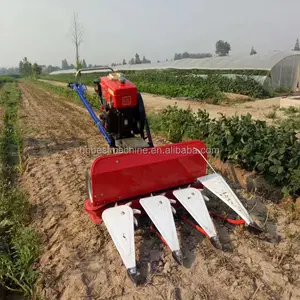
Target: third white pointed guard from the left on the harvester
(194,203)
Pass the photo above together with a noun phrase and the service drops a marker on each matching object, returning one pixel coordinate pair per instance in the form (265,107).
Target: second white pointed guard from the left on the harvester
(158,208)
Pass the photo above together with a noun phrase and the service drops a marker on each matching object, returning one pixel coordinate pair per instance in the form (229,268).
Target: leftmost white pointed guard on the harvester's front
(119,223)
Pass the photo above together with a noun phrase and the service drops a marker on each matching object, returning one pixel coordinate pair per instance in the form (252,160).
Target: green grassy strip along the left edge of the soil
(19,244)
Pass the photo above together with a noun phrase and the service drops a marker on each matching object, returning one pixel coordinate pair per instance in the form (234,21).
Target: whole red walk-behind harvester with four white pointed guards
(148,180)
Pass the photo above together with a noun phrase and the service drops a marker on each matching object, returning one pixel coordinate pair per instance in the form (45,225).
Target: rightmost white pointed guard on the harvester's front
(217,185)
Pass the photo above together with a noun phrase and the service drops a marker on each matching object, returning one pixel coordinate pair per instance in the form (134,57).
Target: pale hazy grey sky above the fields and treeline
(117,29)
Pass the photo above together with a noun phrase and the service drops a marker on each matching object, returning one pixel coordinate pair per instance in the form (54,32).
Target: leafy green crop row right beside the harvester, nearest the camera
(251,144)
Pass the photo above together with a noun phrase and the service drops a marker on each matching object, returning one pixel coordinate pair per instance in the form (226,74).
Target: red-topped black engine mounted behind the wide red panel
(122,114)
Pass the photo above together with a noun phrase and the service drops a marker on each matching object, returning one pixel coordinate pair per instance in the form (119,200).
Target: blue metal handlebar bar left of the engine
(80,89)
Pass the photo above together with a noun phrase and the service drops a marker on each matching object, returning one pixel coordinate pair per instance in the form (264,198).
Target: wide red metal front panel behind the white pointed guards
(128,176)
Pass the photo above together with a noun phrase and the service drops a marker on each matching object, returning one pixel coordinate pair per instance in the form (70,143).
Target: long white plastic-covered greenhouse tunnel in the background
(274,71)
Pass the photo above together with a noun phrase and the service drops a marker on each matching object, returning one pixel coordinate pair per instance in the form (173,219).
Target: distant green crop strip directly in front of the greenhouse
(182,84)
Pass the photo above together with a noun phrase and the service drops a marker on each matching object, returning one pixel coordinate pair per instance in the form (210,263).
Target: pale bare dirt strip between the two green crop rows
(258,109)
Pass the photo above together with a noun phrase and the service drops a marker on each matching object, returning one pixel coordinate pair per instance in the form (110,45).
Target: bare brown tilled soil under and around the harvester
(79,260)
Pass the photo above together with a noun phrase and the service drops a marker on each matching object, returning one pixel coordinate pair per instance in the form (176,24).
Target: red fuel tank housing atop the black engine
(119,94)
